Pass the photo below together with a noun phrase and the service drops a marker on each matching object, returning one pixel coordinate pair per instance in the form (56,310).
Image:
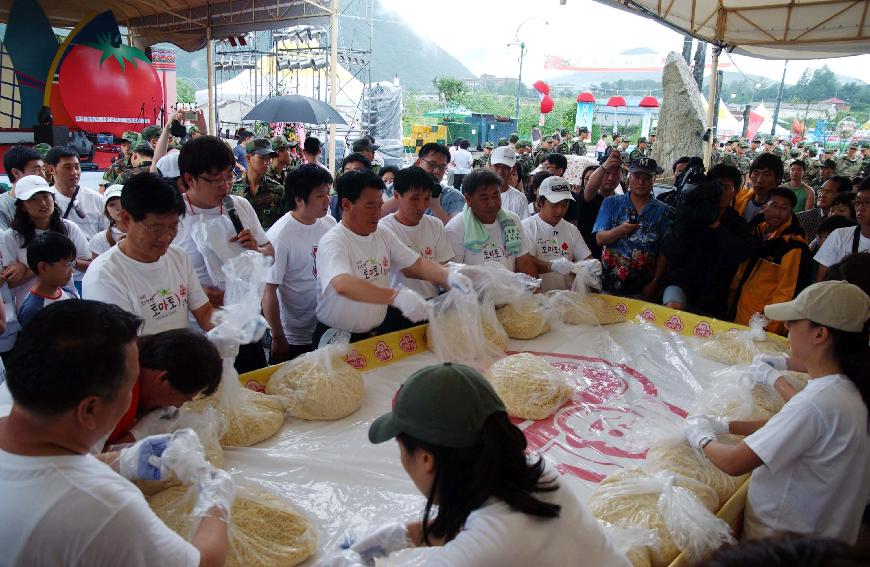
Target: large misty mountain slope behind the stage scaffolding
(396,50)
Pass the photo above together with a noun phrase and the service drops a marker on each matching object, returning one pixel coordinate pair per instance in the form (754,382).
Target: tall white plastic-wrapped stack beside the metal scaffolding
(383,118)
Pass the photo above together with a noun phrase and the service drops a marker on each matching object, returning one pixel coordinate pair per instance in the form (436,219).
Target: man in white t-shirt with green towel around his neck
(485,232)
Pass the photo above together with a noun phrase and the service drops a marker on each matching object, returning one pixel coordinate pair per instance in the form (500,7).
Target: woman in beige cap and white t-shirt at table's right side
(810,462)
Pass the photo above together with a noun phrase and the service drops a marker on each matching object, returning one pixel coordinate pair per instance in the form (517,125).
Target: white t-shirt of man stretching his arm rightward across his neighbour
(372,258)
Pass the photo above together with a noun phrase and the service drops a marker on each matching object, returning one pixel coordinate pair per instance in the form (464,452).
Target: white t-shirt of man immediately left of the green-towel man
(428,239)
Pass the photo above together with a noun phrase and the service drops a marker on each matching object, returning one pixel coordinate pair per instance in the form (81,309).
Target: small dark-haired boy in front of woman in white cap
(51,257)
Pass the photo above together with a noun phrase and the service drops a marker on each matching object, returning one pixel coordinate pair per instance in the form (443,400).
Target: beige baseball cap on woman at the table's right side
(835,304)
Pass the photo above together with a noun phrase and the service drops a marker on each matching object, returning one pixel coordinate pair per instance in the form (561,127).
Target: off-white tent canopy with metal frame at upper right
(769,29)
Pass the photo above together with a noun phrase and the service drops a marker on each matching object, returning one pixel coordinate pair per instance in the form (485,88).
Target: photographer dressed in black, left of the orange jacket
(707,243)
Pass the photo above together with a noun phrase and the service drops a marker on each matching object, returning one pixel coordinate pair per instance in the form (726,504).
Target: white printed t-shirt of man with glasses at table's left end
(162,293)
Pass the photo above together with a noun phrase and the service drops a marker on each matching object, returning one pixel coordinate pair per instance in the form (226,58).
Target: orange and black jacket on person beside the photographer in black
(777,272)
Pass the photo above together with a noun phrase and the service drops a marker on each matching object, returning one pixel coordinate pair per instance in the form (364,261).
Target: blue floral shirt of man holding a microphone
(629,263)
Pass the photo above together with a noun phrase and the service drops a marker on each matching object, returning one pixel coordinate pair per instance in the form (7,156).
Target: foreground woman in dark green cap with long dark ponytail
(495,505)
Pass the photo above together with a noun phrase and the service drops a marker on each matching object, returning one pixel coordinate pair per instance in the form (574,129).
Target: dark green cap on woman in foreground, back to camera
(445,405)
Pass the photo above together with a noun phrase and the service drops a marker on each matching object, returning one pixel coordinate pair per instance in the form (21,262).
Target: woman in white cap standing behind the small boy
(35,213)
